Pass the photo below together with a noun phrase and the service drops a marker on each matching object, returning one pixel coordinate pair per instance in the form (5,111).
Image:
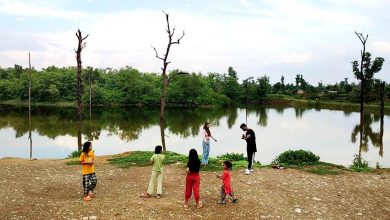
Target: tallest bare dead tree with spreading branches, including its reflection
(165,78)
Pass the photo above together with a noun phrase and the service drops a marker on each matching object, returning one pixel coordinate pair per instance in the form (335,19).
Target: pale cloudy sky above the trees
(256,37)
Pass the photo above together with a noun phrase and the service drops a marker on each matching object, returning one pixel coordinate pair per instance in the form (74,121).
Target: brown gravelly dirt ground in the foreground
(49,189)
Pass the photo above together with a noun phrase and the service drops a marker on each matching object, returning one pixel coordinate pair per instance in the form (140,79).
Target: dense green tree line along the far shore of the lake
(132,87)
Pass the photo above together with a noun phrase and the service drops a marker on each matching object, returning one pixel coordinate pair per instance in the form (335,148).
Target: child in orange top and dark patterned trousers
(87,158)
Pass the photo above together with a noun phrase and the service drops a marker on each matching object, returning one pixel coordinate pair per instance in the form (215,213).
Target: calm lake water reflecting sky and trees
(327,133)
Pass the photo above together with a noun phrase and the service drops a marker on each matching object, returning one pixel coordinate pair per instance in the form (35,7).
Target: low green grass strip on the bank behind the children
(141,158)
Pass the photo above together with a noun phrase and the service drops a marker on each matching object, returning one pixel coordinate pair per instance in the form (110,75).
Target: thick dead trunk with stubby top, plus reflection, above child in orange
(80,47)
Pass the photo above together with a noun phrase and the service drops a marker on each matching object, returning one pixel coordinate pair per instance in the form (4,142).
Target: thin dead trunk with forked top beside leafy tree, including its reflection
(363,40)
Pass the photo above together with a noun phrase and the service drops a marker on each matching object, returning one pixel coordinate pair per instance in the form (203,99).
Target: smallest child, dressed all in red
(226,187)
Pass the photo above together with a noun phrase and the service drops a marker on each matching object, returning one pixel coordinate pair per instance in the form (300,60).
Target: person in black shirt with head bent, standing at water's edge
(250,138)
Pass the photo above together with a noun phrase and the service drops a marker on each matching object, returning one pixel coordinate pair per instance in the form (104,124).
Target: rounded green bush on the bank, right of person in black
(297,157)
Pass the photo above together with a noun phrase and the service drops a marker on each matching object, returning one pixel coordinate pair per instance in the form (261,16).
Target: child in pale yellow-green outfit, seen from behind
(157,173)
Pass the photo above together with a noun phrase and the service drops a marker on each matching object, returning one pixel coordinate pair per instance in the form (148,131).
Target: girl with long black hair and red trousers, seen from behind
(193,179)
